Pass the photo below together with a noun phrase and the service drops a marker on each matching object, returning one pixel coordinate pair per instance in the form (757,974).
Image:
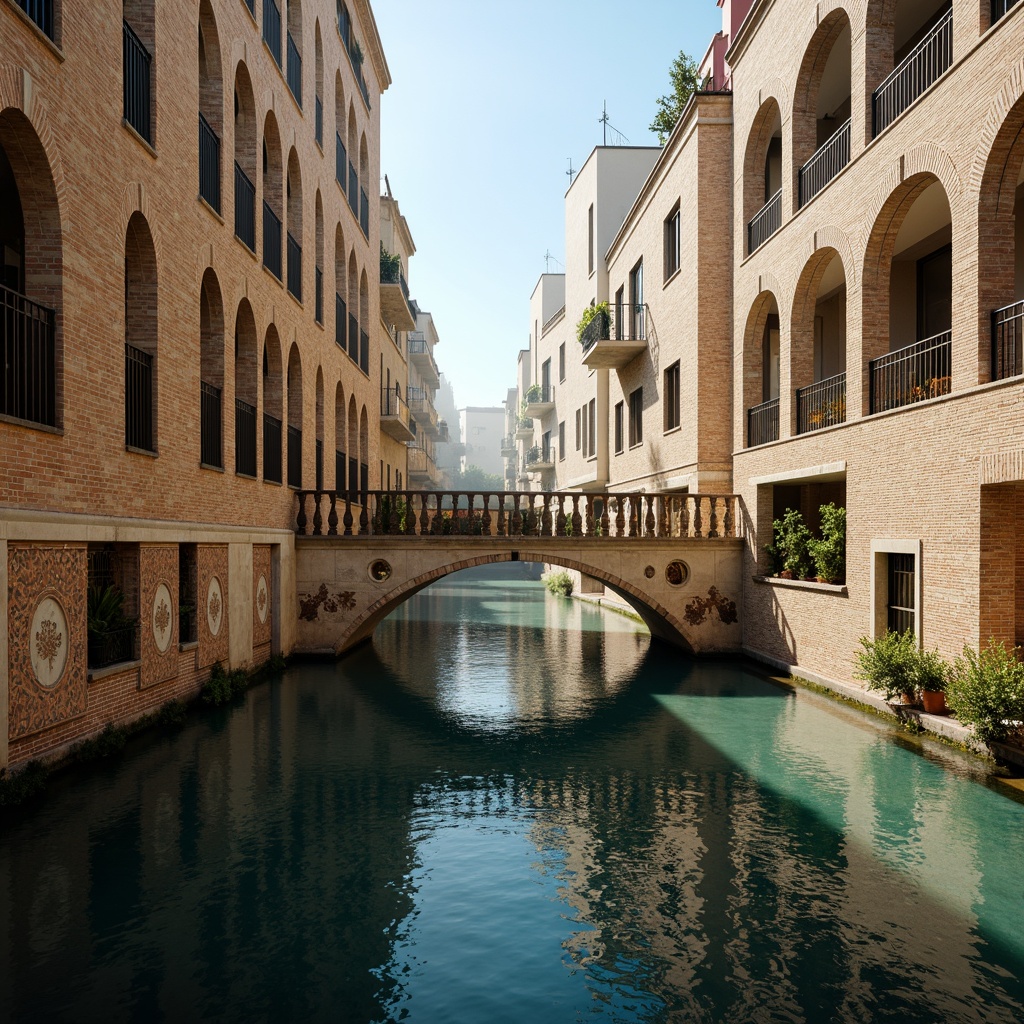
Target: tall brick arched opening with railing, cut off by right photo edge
(1001,252)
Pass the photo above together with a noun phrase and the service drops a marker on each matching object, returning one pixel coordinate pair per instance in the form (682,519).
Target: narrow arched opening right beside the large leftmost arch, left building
(141,336)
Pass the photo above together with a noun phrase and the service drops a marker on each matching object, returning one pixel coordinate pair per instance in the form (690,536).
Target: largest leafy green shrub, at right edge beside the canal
(987,691)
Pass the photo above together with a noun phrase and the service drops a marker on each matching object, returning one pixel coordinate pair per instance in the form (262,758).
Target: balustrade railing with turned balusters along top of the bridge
(515,515)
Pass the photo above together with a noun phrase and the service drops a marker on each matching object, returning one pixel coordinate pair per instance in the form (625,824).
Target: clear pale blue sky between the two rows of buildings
(489,103)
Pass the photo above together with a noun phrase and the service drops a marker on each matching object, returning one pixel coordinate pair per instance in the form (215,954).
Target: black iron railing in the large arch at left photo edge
(28,360)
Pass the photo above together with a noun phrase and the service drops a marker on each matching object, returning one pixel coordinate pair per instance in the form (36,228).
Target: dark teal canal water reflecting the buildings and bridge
(515,808)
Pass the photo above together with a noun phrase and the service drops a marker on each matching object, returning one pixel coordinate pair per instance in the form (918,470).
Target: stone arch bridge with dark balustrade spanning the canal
(675,559)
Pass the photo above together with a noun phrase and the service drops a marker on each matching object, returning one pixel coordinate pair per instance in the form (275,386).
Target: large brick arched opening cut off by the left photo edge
(32,283)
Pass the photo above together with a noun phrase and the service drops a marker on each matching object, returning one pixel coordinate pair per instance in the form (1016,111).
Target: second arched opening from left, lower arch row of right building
(818,344)
